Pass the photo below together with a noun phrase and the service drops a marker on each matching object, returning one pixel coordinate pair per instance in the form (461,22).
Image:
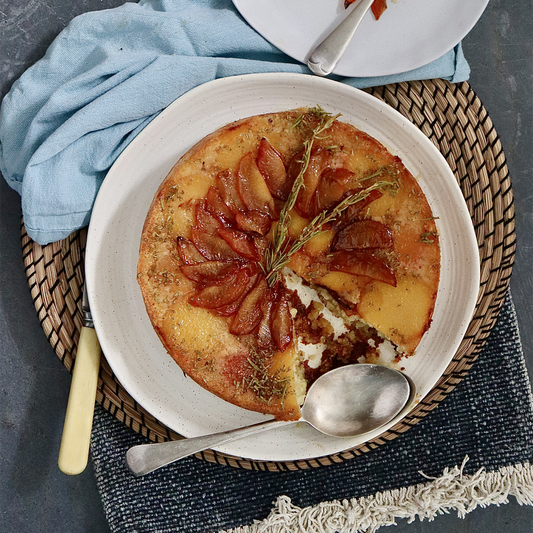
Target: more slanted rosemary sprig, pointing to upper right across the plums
(314,228)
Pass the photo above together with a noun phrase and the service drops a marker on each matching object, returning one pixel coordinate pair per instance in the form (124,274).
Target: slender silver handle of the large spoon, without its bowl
(146,458)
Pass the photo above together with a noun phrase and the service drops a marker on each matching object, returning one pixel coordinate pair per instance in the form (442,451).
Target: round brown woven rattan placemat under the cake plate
(454,119)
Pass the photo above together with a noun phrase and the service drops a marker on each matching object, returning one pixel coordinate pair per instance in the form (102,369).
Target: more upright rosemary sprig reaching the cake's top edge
(276,250)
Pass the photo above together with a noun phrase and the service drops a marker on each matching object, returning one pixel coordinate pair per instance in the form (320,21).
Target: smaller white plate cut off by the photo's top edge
(410,34)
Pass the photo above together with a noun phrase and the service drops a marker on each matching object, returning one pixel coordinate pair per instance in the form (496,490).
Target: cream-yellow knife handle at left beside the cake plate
(74,450)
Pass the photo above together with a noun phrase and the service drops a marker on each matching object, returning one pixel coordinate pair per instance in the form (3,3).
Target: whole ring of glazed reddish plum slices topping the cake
(231,235)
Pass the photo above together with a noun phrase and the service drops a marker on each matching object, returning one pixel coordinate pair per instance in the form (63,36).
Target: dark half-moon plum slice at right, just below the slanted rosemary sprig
(363,234)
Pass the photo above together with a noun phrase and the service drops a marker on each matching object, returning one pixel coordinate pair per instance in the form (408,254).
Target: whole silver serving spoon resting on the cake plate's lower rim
(345,402)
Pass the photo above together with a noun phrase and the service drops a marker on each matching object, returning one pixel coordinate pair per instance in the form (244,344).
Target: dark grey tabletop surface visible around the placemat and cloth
(34,495)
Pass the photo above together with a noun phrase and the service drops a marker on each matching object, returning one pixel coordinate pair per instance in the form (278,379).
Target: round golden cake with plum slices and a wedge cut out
(219,232)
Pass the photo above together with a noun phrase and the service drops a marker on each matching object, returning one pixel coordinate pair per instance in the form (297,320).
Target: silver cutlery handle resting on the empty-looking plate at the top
(326,55)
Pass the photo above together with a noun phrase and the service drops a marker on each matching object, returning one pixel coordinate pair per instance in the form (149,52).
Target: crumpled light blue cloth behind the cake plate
(109,73)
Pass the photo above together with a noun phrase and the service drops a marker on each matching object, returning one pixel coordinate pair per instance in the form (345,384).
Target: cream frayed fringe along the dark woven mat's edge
(453,491)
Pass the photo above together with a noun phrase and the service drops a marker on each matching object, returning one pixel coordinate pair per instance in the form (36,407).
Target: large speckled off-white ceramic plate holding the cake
(128,340)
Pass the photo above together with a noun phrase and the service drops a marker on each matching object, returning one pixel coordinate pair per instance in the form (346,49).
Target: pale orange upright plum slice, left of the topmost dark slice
(252,187)
